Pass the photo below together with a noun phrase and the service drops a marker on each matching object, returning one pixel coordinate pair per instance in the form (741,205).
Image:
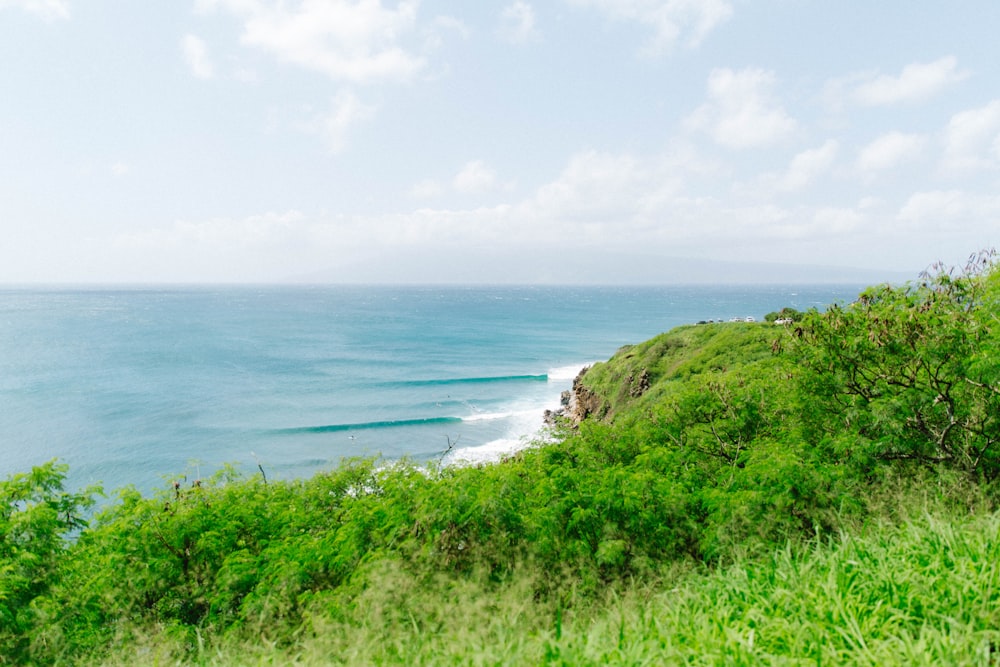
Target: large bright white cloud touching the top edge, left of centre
(358,42)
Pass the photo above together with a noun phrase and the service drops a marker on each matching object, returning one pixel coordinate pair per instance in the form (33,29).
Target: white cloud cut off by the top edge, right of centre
(672,21)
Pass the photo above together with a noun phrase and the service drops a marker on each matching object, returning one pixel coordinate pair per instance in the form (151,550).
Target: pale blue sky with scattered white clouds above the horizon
(524,141)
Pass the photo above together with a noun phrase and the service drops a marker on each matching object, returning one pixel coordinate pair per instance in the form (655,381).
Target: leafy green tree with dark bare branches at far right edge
(910,373)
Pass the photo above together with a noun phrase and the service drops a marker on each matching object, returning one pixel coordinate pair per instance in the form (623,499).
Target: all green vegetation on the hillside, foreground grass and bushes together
(753,493)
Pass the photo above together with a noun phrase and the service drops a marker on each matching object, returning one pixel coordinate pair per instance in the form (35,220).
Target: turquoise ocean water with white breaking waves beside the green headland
(128,386)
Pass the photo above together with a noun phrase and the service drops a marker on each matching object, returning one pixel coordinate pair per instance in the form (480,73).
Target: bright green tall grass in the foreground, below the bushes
(926,592)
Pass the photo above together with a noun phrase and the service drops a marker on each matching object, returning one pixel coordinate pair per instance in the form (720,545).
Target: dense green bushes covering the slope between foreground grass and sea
(719,442)
